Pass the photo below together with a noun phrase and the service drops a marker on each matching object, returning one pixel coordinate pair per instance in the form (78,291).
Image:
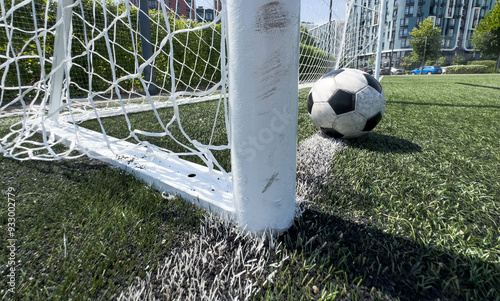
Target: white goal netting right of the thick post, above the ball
(337,34)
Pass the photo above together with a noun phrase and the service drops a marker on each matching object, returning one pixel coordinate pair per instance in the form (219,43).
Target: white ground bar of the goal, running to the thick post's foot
(209,189)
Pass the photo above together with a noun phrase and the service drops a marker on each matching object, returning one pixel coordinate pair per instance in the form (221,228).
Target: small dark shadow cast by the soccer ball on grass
(384,144)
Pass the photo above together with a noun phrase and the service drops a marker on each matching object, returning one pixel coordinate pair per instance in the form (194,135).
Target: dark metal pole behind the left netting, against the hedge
(147,48)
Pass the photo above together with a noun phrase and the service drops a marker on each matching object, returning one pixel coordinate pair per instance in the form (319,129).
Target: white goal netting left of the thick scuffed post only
(102,72)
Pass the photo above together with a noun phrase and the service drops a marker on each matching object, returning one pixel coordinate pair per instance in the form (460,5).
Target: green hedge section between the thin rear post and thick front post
(196,62)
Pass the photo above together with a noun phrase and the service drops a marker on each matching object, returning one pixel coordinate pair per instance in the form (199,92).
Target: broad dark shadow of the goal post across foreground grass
(362,257)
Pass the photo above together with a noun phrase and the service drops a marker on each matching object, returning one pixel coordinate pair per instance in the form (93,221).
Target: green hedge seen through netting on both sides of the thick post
(196,56)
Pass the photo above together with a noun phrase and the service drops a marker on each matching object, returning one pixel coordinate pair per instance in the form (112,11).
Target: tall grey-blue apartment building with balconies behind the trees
(456,18)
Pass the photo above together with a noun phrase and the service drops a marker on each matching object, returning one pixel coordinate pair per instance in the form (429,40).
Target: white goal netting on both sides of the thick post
(71,63)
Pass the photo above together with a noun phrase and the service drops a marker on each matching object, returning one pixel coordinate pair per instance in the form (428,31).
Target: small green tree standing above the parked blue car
(426,41)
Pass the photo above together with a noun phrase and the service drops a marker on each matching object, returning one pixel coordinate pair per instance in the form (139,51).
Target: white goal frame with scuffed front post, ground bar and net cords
(263,178)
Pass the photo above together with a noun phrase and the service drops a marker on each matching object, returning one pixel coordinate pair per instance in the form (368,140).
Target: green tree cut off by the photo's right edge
(486,38)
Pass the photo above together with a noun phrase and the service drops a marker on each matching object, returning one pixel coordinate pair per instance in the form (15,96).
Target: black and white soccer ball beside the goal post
(346,103)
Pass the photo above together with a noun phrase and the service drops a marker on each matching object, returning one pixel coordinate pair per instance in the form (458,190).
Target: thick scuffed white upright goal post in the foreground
(263,43)
